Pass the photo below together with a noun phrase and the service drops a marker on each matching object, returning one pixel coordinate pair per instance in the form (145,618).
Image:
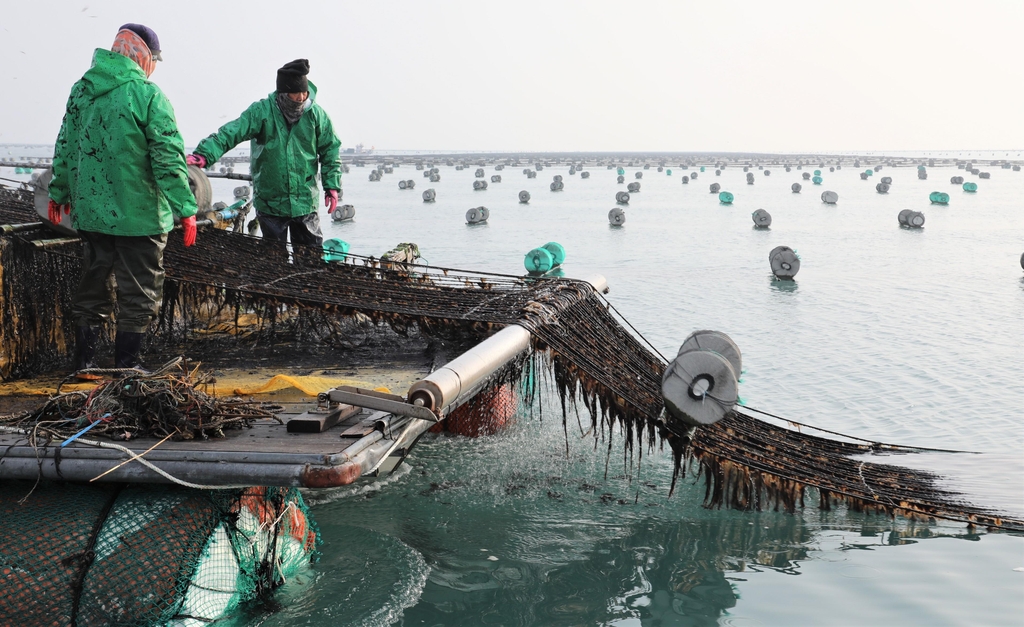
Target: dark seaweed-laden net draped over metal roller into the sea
(747,464)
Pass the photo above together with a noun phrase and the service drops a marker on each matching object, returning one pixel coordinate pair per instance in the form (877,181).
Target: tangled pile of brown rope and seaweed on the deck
(167,403)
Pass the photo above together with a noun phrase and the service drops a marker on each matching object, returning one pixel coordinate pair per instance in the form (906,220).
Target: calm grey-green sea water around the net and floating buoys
(909,337)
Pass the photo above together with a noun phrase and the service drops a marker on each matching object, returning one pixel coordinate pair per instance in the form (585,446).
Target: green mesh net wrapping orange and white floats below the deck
(76,555)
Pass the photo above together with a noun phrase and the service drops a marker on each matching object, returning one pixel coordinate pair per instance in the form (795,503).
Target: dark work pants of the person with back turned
(138,266)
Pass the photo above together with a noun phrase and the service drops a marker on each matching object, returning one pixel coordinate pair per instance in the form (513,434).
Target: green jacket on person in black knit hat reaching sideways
(284,161)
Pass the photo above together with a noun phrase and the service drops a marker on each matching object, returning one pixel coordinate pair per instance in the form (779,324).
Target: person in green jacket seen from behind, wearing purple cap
(119,169)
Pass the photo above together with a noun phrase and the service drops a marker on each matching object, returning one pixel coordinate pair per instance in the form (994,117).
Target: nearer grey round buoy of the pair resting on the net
(700,388)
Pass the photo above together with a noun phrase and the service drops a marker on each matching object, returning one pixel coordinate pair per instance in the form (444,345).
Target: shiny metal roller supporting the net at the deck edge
(458,381)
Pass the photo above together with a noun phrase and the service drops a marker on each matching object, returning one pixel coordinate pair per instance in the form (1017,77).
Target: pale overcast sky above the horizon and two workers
(756,76)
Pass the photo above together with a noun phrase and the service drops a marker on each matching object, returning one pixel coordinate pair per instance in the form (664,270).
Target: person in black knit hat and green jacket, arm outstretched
(290,135)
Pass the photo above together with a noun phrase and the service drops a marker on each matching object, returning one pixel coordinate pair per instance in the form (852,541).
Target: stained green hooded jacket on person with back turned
(120,159)
